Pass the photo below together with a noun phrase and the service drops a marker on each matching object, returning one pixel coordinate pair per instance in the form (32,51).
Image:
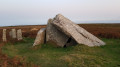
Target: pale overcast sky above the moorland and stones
(22,12)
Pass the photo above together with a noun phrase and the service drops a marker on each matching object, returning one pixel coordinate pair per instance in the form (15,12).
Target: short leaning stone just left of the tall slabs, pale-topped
(40,38)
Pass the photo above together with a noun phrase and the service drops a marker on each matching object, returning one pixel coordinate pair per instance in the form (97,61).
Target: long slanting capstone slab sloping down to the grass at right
(80,35)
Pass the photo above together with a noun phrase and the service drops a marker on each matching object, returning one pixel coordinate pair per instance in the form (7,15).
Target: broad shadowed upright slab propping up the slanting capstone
(56,37)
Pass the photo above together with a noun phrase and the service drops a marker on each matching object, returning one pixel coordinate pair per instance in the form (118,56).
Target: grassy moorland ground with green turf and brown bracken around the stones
(22,54)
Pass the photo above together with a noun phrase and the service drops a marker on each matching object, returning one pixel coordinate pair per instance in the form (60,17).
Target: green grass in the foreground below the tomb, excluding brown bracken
(73,56)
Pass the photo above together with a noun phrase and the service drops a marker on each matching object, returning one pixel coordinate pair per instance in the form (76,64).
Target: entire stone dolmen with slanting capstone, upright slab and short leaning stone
(62,32)
